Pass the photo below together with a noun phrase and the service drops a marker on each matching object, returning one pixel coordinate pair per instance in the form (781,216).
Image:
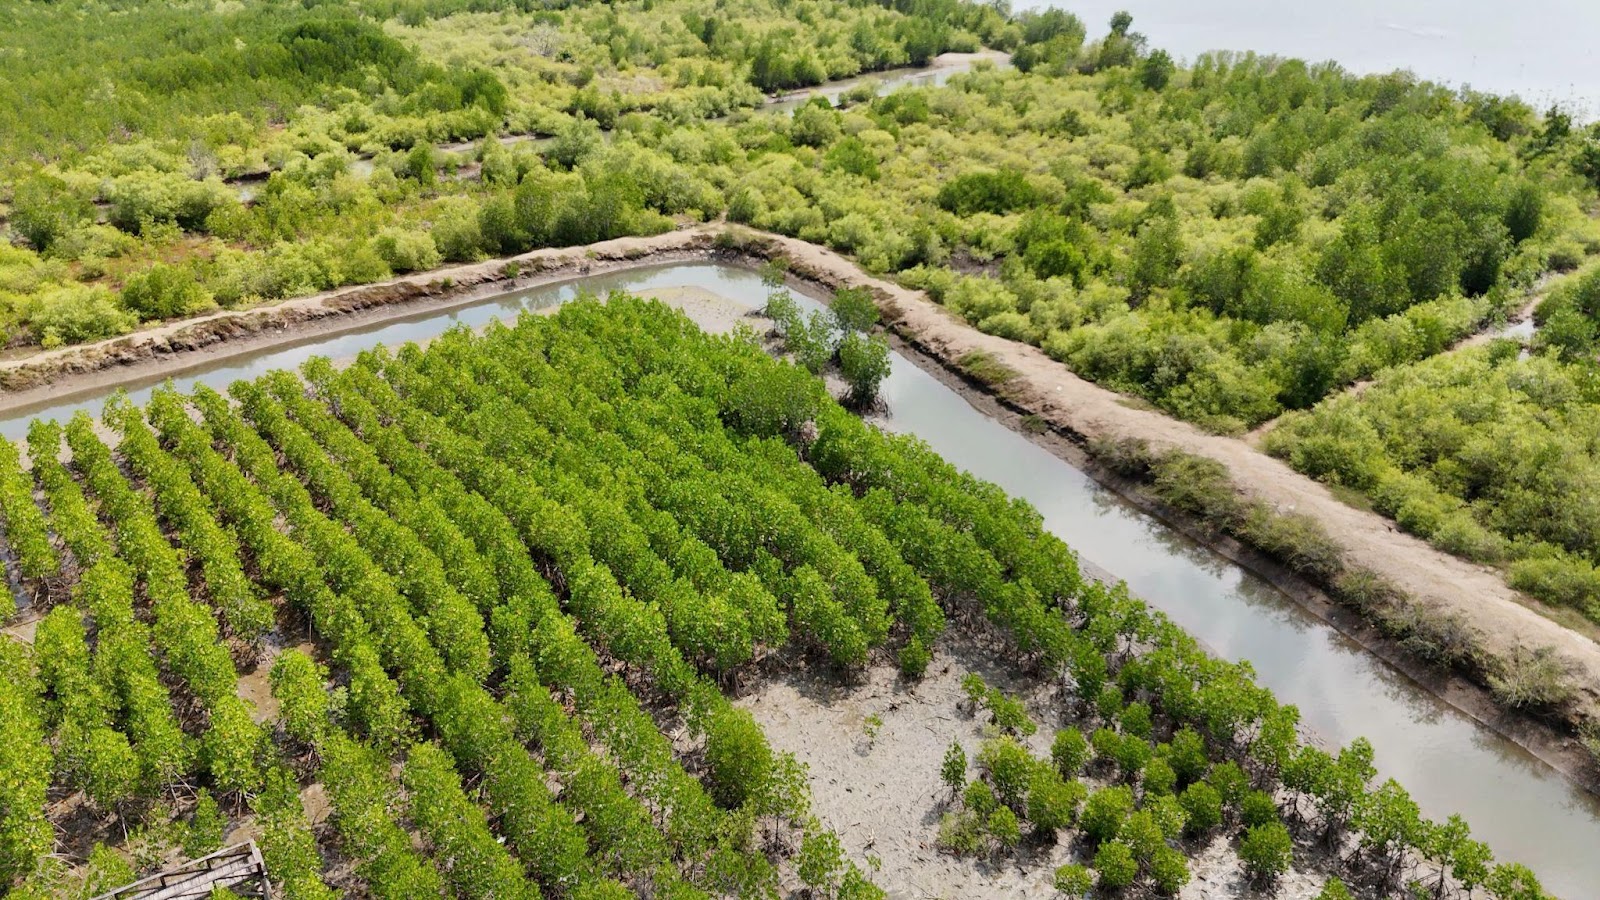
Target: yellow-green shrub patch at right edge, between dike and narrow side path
(1484,414)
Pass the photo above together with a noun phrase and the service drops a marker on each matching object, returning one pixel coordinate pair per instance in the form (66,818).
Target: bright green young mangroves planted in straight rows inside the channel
(410,508)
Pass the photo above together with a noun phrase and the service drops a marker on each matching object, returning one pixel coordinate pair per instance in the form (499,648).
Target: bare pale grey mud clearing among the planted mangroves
(886,798)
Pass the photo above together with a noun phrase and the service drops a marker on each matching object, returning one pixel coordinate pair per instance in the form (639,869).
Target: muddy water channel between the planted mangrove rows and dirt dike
(1519,806)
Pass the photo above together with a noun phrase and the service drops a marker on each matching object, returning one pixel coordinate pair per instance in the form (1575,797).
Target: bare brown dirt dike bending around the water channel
(1503,619)
